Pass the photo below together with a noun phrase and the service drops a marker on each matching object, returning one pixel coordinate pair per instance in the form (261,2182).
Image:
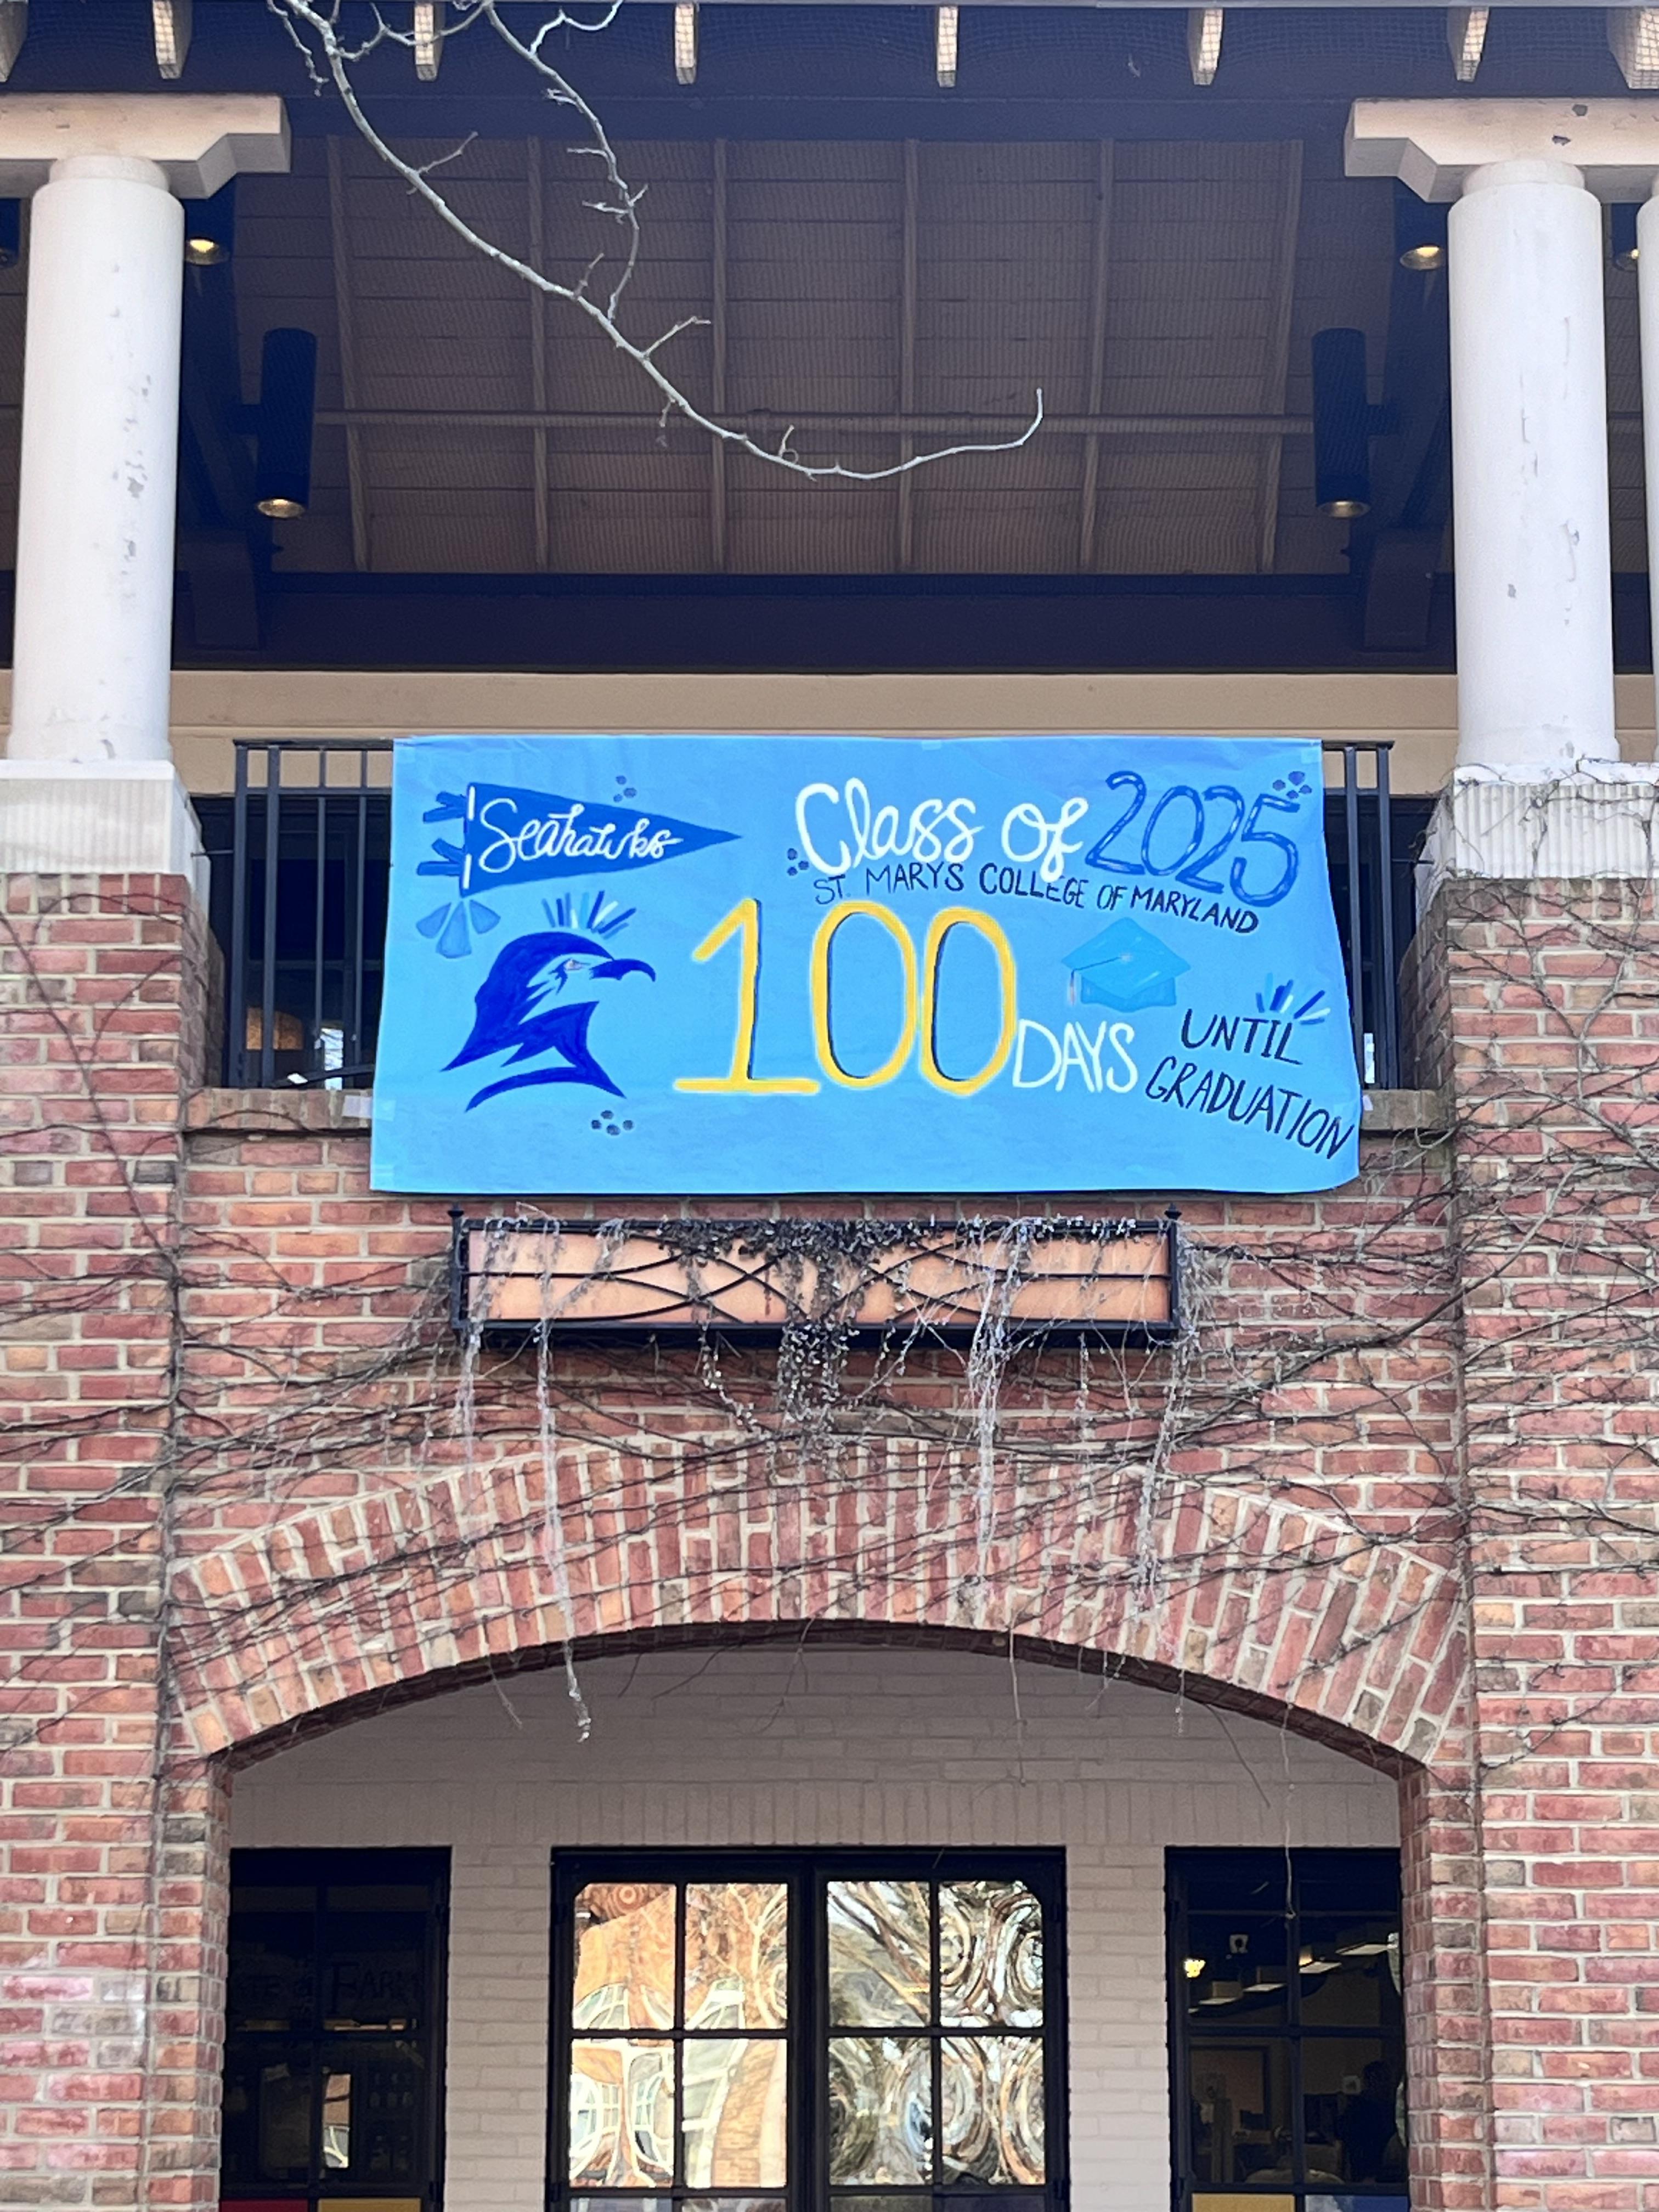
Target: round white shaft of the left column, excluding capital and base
(101,459)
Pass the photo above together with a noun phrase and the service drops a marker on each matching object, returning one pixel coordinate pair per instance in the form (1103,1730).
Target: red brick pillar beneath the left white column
(112,1881)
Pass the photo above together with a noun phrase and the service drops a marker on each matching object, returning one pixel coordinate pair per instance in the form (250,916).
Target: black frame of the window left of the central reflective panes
(346,1870)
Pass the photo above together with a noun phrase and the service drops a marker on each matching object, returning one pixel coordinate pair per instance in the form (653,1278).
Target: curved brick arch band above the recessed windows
(1253,1603)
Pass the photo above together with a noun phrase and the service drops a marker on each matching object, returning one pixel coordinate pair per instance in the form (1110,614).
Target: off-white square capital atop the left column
(198,140)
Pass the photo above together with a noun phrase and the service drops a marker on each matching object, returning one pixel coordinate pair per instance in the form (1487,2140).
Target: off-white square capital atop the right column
(1437,145)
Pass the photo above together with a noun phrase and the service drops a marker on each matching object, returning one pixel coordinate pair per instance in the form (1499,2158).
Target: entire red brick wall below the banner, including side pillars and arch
(1412,1410)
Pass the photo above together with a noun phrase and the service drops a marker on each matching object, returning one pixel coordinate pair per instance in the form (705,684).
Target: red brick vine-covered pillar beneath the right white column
(1554,1065)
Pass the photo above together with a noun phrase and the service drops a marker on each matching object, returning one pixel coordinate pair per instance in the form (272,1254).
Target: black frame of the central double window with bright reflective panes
(808,2030)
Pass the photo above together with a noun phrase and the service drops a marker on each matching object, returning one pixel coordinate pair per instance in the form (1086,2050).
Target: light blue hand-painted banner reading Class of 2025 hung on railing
(656,966)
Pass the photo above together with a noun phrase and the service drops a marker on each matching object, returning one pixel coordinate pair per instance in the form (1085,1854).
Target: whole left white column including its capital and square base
(90,782)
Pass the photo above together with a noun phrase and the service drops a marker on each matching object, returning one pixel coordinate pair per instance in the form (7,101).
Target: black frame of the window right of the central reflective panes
(1189,2038)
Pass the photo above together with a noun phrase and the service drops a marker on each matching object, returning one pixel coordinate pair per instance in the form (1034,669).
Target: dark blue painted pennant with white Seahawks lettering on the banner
(512,837)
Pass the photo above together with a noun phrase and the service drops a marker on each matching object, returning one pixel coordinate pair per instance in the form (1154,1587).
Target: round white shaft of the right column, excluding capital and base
(1530,468)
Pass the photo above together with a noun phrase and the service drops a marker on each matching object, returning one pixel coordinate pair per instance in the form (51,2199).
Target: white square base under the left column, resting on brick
(98,820)
